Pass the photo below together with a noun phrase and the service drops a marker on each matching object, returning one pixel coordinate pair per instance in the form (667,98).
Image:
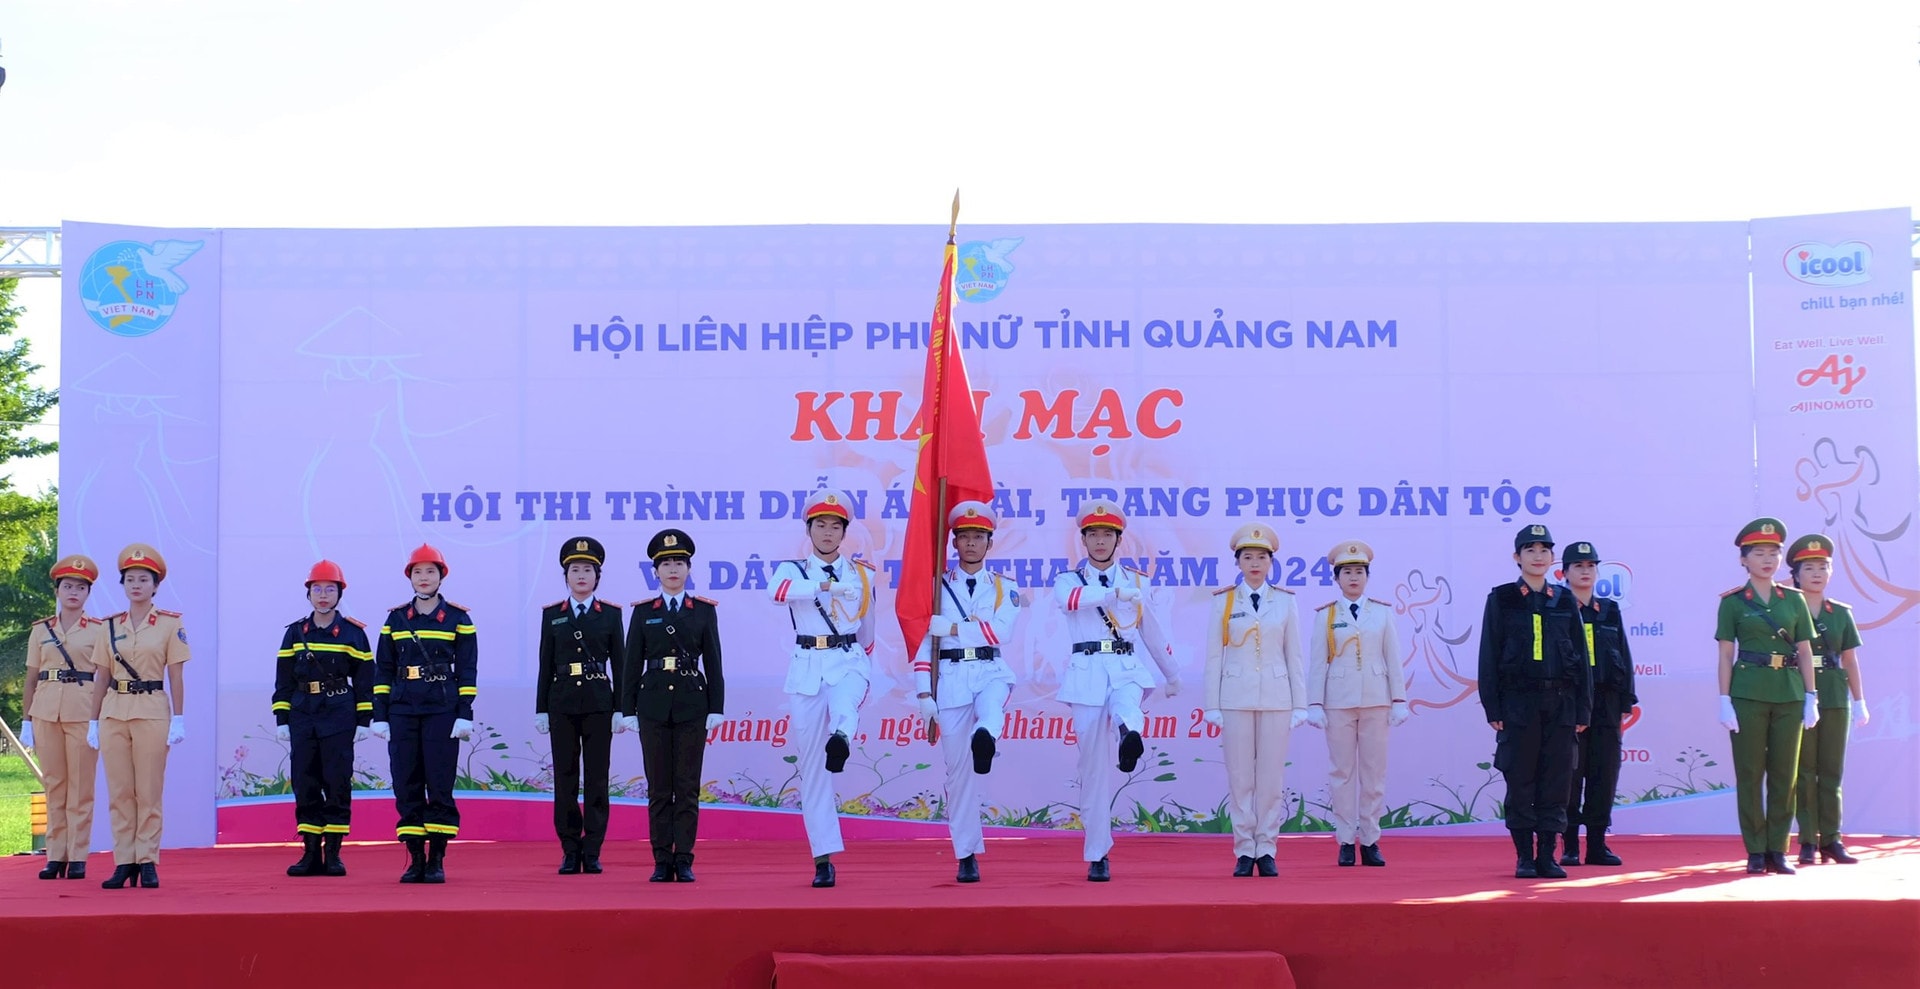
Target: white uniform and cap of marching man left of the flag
(830,667)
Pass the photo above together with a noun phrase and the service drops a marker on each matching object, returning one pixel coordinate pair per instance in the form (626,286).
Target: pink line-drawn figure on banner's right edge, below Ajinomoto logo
(1842,489)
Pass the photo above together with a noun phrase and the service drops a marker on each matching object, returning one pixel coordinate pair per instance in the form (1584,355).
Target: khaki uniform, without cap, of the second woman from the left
(135,658)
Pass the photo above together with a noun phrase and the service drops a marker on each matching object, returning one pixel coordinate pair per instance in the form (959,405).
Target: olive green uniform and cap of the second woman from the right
(1769,700)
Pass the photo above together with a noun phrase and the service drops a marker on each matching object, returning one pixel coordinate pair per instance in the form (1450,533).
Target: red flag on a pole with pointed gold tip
(951,470)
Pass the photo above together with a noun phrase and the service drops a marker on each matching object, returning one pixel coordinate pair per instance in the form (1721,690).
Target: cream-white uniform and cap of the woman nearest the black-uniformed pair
(1356,679)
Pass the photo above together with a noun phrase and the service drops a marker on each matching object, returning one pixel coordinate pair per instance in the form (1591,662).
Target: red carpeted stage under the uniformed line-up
(1443,913)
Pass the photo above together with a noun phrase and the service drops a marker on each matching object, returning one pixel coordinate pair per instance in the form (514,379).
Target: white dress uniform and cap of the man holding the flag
(974,677)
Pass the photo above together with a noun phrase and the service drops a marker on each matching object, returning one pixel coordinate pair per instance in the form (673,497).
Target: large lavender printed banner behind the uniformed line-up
(281,397)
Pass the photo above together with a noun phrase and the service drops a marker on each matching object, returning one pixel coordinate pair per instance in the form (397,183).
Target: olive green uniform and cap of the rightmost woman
(1825,746)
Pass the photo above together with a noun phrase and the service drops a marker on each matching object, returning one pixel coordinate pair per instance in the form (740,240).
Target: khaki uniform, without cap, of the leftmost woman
(62,665)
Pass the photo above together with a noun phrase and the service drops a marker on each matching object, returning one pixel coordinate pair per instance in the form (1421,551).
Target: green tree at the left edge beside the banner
(30,523)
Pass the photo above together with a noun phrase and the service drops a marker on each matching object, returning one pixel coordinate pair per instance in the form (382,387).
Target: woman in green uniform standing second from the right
(1767,692)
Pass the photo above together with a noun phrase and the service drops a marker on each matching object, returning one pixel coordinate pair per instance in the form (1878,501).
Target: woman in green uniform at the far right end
(1836,667)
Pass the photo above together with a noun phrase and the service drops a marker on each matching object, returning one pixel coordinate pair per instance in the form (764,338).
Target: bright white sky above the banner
(640,112)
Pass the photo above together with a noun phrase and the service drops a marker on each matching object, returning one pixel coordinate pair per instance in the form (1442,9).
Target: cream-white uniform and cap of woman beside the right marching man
(1257,679)
